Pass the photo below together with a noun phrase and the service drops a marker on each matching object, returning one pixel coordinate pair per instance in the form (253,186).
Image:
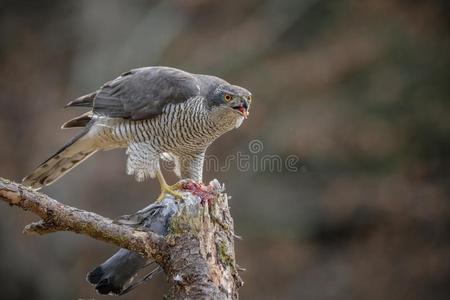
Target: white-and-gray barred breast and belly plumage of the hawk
(182,133)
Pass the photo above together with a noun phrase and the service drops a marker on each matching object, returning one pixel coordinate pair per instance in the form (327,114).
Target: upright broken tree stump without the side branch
(201,261)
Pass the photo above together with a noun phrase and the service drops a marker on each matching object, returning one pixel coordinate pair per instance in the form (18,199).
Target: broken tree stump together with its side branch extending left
(197,253)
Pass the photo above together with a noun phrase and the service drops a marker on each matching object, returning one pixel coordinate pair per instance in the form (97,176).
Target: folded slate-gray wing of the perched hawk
(141,93)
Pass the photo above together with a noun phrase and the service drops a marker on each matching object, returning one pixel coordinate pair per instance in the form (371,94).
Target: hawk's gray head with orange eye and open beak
(232,99)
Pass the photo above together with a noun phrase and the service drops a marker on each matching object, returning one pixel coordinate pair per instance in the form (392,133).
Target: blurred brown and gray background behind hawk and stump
(358,90)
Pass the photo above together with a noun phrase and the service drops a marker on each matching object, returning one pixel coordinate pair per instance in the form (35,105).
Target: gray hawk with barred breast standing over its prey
(155,113)
